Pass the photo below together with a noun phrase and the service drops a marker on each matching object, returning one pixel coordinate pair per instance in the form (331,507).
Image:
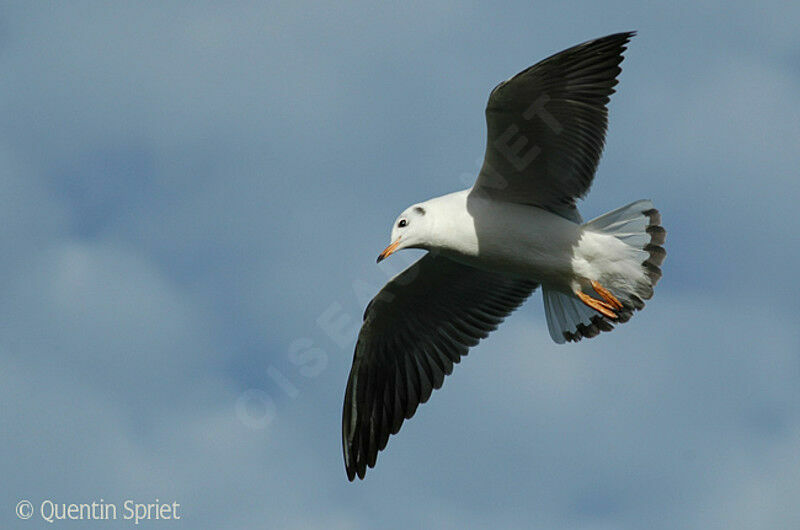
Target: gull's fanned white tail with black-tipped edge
(636,270)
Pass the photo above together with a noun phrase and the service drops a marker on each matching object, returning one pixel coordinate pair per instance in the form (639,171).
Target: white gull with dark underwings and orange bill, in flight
(492,245)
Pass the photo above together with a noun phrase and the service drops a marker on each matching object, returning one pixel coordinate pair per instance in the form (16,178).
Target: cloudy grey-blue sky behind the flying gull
(191,201)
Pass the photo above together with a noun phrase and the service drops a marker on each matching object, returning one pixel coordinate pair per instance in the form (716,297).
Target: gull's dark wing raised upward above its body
(547,126)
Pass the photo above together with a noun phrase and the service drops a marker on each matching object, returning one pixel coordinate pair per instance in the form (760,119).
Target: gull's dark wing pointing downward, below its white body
(416,327)
